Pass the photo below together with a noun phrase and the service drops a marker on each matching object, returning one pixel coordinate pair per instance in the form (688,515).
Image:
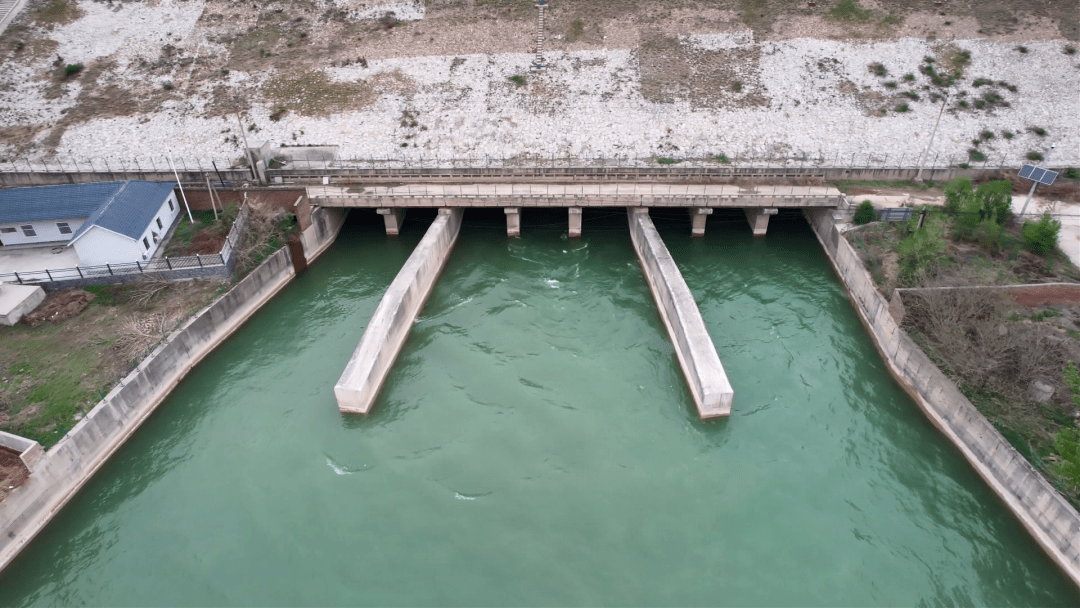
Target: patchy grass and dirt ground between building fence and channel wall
(53,373)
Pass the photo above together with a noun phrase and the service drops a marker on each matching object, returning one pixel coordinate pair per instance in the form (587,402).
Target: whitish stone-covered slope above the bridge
(819,102)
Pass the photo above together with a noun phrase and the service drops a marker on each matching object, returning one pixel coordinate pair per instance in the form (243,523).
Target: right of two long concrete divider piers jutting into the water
(701,366)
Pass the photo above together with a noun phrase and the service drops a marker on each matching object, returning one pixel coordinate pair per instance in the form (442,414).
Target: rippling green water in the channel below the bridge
(536,445)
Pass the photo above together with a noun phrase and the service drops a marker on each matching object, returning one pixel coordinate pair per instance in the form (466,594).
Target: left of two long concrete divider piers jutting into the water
(387,331)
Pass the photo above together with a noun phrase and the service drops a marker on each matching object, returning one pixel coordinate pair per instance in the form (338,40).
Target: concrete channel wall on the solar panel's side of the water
(1048,517)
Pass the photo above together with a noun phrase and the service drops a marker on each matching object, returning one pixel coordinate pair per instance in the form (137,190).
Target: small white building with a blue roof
(109,223)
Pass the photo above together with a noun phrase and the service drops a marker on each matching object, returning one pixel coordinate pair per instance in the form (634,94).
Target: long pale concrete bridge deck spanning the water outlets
(575,196)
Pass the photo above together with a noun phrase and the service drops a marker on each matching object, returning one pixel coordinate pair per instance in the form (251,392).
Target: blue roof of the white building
(125,208)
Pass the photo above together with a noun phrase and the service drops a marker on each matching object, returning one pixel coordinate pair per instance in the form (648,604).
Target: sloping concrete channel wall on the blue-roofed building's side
(60,474)
